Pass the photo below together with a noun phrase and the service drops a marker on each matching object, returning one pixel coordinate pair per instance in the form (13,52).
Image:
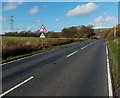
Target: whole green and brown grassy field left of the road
(13,47)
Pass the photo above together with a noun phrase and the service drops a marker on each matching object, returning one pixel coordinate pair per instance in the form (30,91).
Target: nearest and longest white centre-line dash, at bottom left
(6,92)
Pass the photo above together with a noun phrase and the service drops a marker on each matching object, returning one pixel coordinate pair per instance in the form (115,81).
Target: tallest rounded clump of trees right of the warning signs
(78,32)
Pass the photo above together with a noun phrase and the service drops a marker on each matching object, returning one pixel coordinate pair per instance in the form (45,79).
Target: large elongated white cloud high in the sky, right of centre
(82,10)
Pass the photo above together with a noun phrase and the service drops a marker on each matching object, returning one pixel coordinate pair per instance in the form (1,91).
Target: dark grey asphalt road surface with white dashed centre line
(75,70)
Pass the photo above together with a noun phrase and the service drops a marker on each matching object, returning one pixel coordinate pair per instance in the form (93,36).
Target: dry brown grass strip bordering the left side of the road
(14,47)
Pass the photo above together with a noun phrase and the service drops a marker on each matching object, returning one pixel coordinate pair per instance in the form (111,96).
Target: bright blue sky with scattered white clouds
(58,15)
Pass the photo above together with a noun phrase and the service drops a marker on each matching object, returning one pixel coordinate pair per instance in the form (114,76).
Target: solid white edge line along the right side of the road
(110,90)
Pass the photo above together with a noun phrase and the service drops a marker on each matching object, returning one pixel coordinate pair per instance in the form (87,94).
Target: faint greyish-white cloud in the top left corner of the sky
(11,6)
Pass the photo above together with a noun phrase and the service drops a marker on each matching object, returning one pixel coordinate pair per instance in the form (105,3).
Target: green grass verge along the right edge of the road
(114,48)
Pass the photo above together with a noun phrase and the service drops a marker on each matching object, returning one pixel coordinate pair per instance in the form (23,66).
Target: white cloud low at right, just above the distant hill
(100,20)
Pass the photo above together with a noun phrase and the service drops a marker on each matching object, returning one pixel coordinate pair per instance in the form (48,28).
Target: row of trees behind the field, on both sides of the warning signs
(70,32)
